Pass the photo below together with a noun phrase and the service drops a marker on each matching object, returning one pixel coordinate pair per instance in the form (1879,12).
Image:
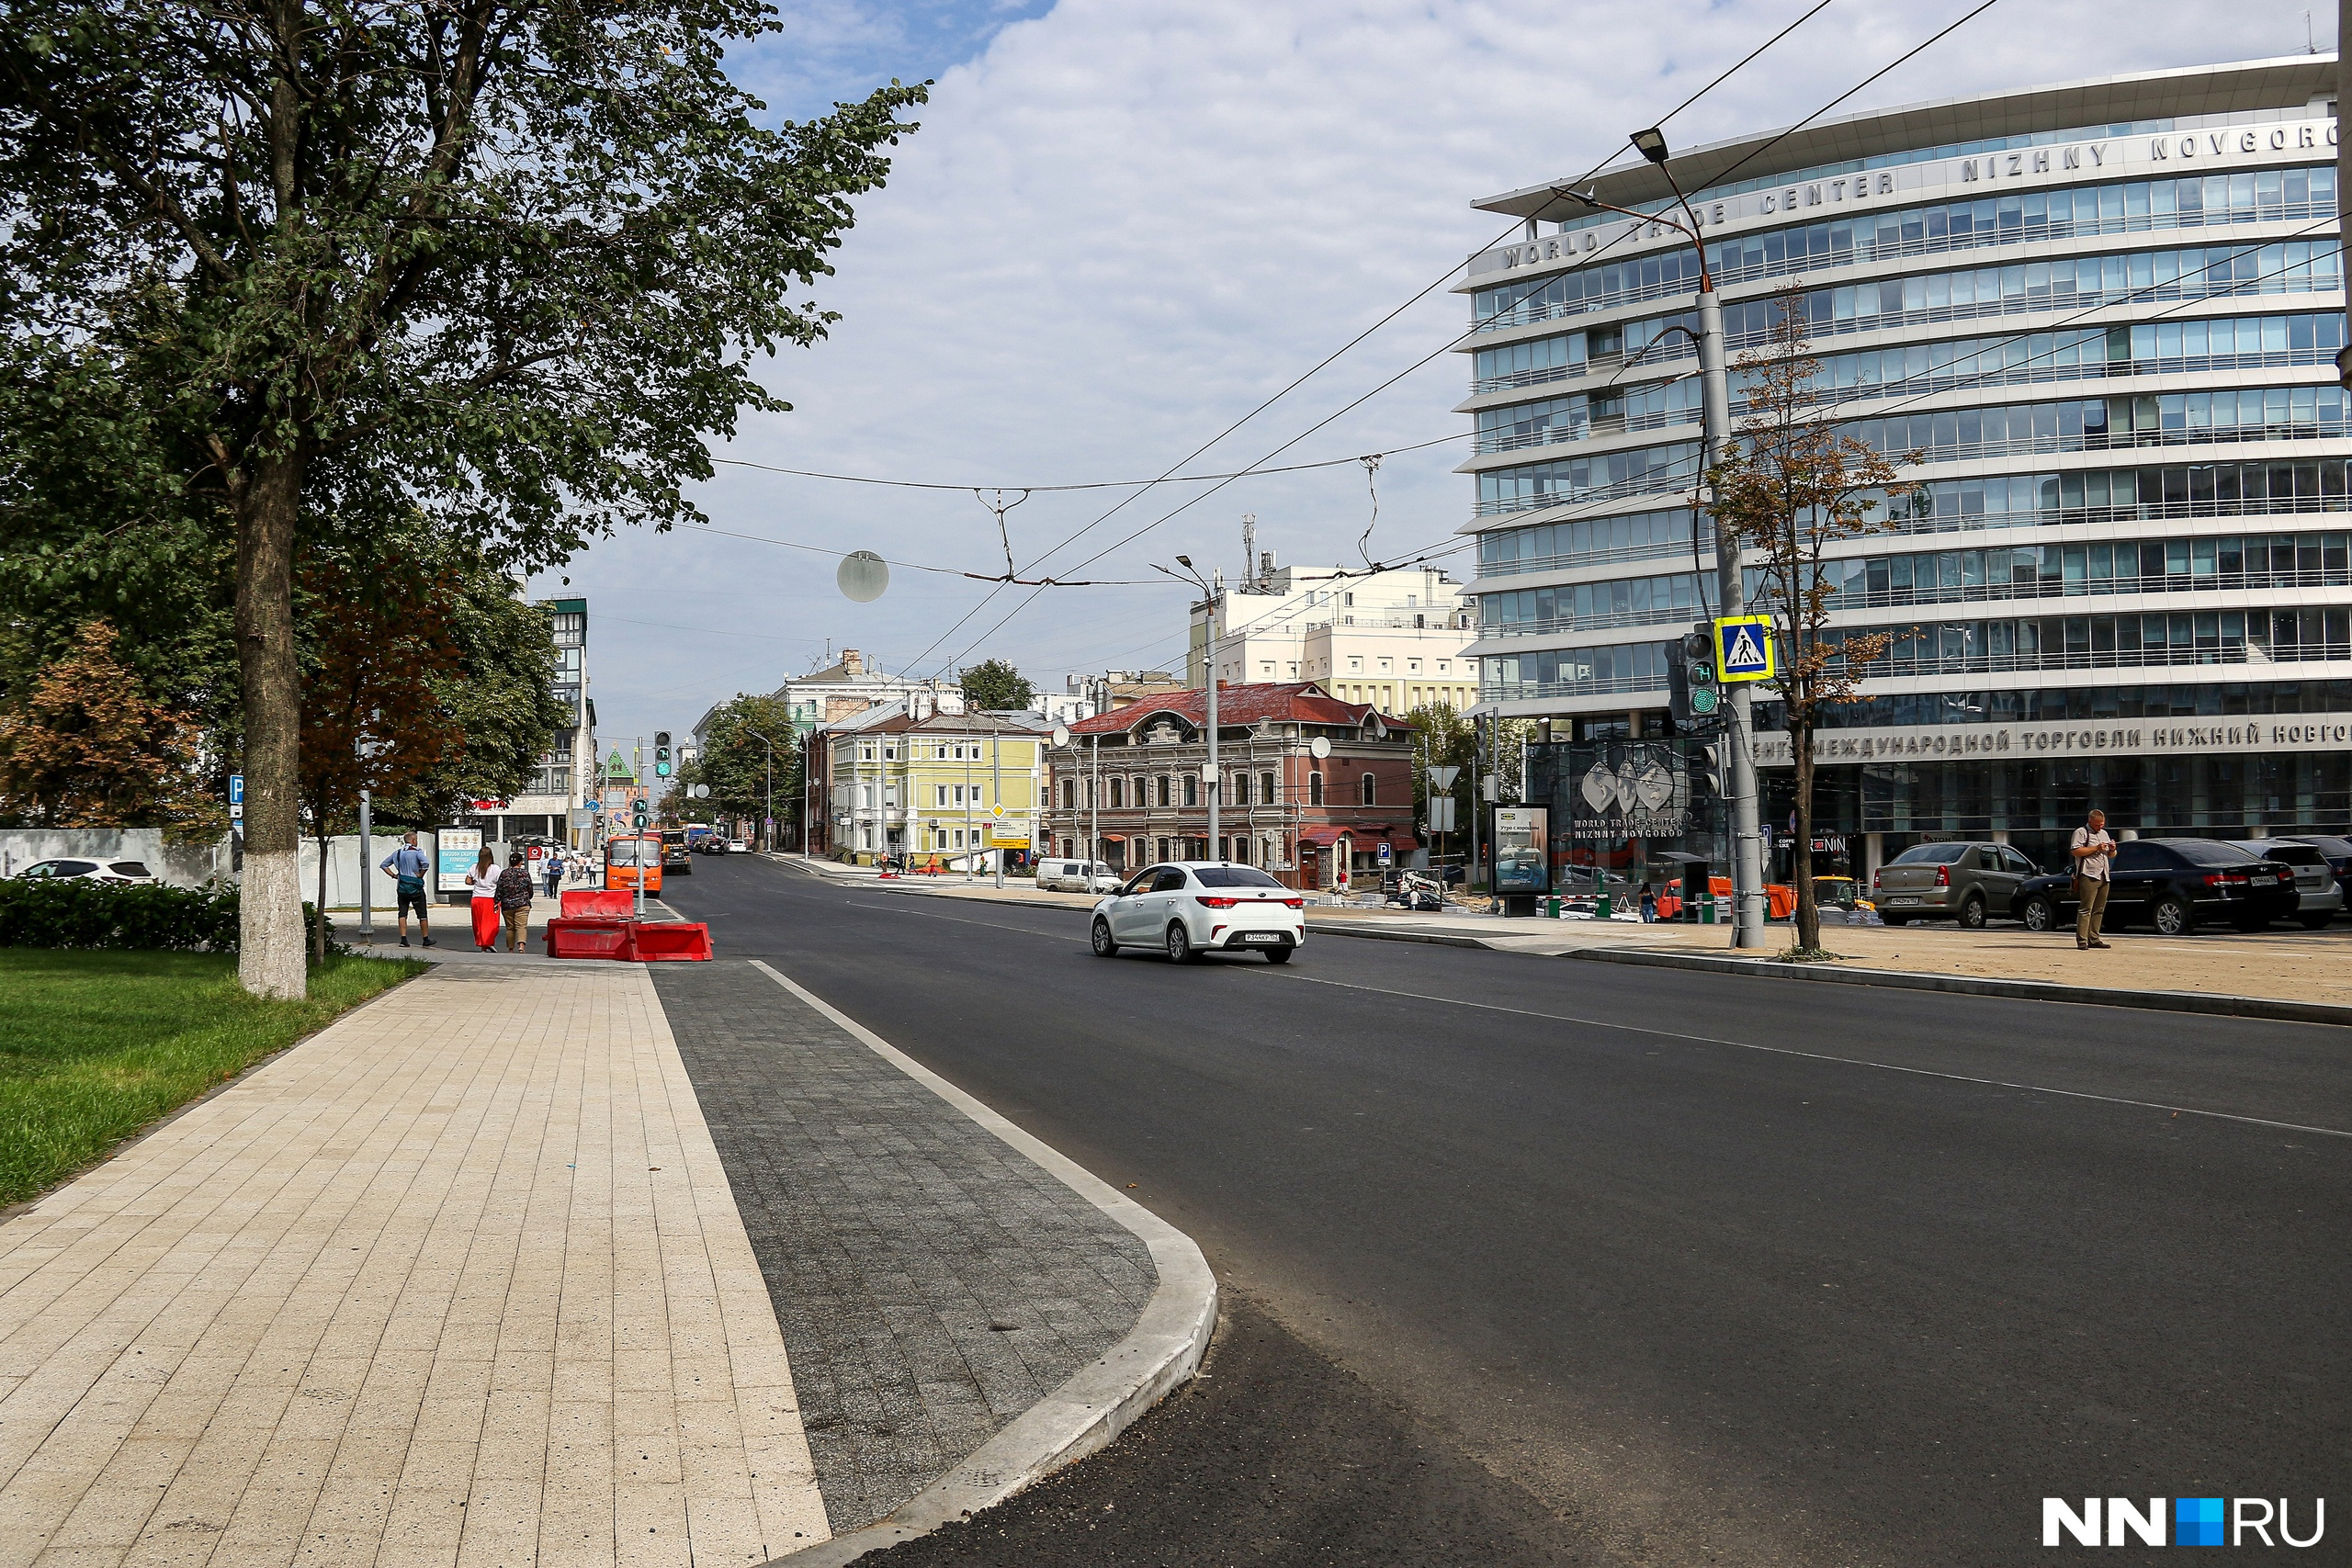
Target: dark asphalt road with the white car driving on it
(1662,1268)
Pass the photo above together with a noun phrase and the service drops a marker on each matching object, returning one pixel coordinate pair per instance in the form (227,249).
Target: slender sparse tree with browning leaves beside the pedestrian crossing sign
(1789,488)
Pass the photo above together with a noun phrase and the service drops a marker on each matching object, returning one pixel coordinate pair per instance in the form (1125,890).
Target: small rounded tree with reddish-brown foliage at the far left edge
(91,751)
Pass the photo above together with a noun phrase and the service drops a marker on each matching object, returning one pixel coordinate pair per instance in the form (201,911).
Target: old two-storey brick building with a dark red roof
(1130,784)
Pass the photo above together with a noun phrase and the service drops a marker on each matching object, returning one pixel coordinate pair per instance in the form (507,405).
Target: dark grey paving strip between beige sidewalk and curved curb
(893,1235)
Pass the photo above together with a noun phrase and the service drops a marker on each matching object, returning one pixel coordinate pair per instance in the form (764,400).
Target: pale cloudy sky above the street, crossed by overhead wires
(1123,227)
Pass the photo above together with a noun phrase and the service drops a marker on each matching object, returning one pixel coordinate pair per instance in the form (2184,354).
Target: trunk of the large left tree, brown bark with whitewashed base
(269,911)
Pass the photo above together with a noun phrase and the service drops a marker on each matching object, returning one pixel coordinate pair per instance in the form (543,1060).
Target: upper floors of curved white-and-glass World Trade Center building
(2106,316)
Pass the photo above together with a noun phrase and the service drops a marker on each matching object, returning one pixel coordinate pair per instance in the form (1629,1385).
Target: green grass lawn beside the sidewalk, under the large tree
(100,1045)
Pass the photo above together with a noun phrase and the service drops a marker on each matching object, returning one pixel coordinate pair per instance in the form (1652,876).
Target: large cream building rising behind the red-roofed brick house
(1391,641)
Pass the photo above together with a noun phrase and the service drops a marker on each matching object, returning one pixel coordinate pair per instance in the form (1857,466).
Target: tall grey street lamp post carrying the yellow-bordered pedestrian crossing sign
(1716,431)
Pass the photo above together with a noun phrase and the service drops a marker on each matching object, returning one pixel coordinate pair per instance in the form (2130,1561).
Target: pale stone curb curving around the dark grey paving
(1100,1400)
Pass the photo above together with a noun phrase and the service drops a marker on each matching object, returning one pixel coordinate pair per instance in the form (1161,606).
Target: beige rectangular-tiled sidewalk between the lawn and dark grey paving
(455,1282)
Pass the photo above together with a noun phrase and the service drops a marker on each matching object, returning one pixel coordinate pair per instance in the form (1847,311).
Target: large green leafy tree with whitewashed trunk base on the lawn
(295,267)
